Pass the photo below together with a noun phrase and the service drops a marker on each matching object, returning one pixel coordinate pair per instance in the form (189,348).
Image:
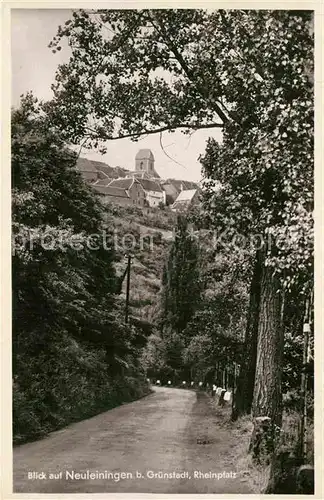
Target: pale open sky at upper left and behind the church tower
(33,68)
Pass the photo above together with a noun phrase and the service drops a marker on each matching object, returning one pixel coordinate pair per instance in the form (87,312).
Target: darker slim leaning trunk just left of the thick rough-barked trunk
(245,382)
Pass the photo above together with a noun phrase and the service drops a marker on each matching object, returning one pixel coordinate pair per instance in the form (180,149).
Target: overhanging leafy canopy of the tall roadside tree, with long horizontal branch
(249,72)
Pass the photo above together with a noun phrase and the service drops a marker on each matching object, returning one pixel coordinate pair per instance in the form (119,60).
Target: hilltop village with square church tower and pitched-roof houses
(142,187)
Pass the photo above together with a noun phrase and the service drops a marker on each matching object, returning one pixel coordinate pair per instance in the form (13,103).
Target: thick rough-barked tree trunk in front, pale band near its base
(267,397)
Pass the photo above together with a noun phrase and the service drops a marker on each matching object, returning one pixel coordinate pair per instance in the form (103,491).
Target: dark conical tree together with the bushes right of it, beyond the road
(213,333)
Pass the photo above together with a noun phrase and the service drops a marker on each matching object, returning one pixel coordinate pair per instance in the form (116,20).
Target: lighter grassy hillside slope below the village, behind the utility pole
(147,238)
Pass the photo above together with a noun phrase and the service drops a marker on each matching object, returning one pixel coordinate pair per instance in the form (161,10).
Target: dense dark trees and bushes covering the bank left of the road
(72,354)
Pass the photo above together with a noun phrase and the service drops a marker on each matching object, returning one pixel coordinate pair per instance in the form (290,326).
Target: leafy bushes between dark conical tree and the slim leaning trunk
(213,337)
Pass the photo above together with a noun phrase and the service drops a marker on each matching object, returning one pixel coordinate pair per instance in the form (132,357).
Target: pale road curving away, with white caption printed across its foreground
(154,435)
